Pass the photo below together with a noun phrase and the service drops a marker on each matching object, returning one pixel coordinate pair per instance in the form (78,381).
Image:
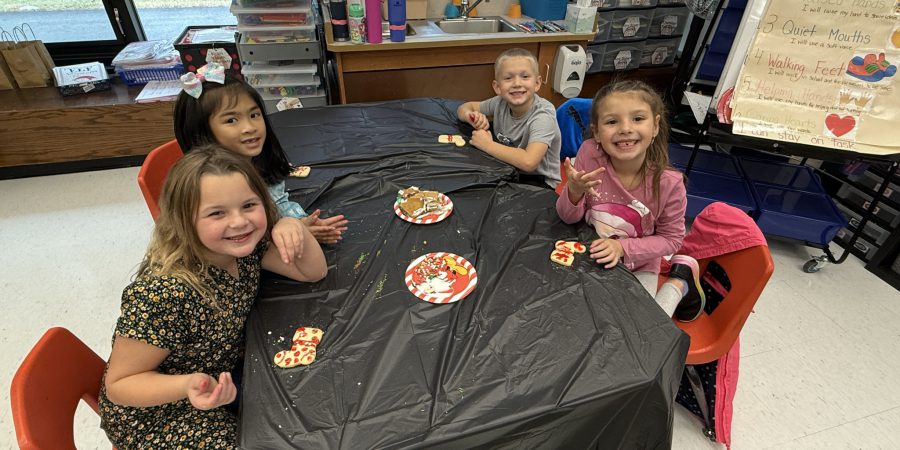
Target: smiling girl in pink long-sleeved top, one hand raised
(622,185)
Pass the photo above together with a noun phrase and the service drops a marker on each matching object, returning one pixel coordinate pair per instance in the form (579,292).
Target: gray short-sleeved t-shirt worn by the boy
(538,125)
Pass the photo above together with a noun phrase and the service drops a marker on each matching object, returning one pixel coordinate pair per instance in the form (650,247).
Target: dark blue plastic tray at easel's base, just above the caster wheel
(805,216)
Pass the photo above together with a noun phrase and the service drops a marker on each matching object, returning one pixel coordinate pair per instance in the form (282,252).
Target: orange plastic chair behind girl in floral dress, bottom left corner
(58,372)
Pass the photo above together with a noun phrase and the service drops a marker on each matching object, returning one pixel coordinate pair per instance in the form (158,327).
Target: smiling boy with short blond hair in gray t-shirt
(524,123)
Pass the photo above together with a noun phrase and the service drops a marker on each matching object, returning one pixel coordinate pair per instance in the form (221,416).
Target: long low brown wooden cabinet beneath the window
(42,132)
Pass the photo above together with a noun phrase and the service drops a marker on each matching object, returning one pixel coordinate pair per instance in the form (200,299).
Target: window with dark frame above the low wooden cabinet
(78,31)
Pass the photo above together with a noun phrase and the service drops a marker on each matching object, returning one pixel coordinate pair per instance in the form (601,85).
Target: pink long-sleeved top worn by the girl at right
(647,229)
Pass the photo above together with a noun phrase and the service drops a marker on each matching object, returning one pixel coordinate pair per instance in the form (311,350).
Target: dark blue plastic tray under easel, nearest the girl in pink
(704,188)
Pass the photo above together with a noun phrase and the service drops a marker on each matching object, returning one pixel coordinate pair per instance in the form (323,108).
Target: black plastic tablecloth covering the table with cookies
(537,356)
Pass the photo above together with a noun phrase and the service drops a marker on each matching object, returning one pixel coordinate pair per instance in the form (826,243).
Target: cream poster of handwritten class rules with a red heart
(824,73)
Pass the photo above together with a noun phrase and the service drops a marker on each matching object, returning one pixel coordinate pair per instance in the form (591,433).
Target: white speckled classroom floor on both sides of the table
(816,357)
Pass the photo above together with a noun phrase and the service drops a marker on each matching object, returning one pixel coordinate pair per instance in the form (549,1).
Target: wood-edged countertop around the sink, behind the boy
(428,35)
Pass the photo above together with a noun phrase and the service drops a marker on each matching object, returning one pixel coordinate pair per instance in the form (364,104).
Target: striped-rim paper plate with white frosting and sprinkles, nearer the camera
(435,279)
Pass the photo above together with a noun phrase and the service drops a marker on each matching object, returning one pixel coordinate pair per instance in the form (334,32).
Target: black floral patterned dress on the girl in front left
(167,313)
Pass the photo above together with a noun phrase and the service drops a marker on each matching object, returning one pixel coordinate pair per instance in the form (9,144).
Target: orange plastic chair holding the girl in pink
(713,335)
